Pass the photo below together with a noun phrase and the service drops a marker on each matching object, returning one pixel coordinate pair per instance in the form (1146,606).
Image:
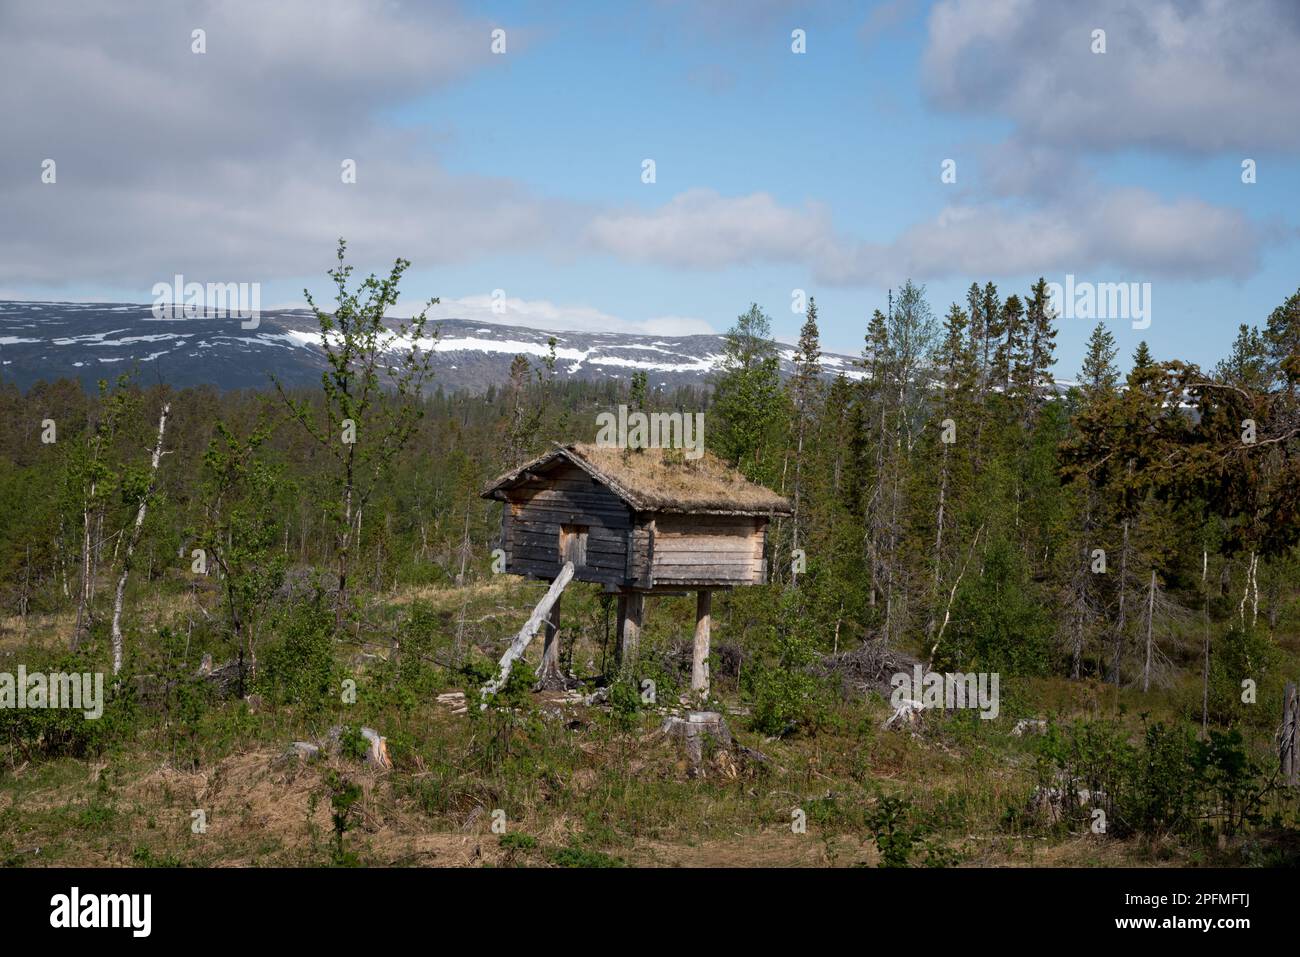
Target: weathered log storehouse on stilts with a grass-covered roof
(642,523)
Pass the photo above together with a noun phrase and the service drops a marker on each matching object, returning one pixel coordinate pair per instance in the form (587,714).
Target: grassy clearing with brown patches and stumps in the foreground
(189,778)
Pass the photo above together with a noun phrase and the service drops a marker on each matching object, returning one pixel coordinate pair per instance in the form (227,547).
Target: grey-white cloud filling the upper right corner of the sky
(1198,76)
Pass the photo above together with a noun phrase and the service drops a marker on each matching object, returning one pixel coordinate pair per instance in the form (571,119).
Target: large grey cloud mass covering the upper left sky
(227,166)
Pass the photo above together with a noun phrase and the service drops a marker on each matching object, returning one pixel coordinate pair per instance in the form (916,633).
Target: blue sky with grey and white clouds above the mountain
(775,171)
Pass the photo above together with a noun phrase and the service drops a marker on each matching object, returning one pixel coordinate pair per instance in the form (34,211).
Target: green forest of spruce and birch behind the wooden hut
(950,497)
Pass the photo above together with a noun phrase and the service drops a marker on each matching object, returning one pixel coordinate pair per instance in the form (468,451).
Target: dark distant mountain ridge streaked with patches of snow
(94,341)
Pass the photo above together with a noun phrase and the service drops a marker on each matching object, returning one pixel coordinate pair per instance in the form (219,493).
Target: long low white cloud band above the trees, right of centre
(1130,229)
